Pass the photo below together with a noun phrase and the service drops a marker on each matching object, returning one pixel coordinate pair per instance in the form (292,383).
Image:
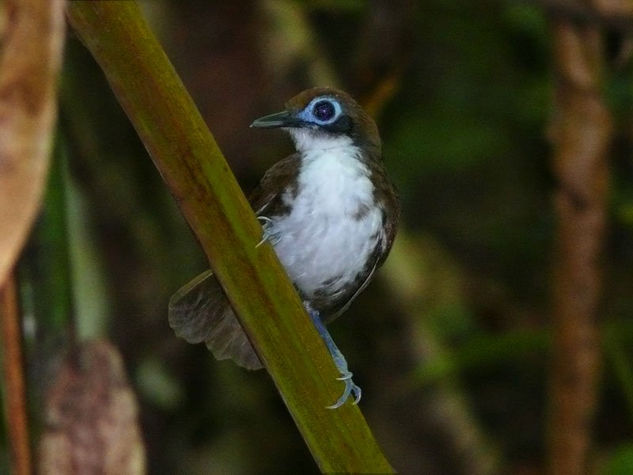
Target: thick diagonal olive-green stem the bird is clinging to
(209,197)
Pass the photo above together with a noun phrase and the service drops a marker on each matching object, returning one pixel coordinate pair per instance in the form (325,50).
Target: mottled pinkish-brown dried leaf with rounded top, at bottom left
(91,417)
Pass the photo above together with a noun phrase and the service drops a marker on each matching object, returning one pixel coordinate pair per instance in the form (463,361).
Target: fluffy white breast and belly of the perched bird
(329,234)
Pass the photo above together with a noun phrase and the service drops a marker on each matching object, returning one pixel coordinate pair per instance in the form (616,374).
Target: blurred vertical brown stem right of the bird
(581,134)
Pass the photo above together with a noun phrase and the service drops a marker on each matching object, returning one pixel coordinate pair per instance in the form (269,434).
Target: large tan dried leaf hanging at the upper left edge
(31,58)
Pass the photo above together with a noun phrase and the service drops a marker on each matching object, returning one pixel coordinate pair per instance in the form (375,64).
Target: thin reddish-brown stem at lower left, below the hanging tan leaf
(13,365)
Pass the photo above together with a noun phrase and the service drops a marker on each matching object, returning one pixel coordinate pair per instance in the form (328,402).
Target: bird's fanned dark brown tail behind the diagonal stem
(200,312)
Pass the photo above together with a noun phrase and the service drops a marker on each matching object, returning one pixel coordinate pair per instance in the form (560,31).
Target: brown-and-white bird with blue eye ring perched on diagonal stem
(330,212)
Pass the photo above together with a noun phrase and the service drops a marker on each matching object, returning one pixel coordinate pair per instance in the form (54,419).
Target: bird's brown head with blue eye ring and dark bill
(324,118)
